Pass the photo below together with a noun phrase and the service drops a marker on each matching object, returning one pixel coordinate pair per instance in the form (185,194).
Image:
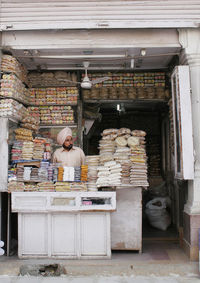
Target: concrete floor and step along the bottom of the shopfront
(161,261)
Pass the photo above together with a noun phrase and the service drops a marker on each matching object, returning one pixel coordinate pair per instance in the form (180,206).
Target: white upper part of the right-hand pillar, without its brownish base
(190,41)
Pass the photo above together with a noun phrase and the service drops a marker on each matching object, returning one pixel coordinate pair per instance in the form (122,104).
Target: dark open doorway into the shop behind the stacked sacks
(154,116)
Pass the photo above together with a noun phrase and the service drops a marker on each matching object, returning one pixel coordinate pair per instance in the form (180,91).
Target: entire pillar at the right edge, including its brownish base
(190,41)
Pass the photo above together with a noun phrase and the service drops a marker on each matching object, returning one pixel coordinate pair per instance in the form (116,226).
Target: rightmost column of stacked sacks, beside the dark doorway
(138,175)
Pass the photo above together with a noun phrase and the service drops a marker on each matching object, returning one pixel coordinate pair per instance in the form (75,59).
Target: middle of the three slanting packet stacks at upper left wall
(12,87)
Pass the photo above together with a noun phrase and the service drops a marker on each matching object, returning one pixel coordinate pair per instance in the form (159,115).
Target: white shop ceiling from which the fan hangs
(99,58)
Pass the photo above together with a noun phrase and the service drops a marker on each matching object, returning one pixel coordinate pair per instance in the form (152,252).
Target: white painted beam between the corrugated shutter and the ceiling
(79,39)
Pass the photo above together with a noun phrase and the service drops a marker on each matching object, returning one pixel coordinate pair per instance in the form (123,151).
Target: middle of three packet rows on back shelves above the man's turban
(51,96)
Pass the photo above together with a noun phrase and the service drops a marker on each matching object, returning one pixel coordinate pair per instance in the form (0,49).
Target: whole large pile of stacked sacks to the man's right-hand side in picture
(127,150)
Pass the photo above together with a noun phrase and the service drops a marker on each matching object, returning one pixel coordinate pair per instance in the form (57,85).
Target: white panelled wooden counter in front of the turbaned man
(63,224)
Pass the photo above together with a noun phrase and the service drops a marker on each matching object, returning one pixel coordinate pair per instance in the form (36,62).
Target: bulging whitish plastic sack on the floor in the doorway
(157,214)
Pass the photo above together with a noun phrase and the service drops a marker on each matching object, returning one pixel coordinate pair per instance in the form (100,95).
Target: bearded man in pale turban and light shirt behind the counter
(68,154)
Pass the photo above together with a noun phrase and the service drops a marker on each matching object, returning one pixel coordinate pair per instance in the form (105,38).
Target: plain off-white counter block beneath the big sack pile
(126,221)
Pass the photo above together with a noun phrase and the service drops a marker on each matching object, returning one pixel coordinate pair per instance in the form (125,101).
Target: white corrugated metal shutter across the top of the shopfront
(37,14)
